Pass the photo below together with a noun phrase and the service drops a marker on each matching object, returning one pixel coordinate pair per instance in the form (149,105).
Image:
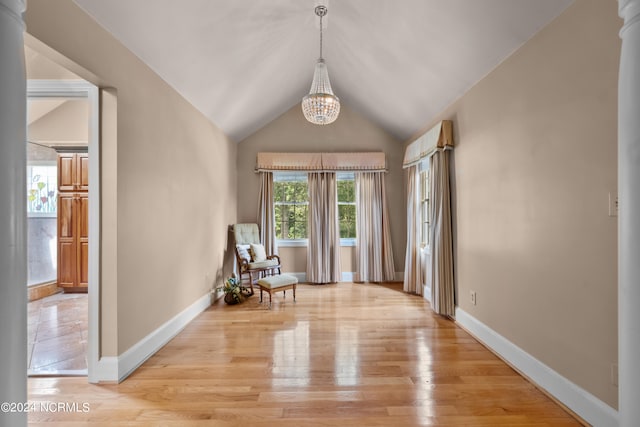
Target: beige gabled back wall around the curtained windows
(350,133)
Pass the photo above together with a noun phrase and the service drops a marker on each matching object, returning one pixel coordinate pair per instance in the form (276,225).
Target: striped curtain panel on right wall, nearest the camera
(442,285)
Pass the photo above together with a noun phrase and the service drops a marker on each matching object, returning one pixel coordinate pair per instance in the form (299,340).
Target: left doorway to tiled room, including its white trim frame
(62,129)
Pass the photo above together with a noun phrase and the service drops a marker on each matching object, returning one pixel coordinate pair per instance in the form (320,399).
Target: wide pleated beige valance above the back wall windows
(322,162)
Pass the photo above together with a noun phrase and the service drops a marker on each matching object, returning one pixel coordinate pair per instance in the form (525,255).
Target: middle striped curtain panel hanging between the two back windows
(323,254)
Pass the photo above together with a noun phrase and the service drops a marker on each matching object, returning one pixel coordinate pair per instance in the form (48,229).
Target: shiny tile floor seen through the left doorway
(57,331)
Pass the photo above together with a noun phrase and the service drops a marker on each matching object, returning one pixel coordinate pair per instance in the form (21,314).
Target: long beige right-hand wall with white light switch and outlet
(534,164)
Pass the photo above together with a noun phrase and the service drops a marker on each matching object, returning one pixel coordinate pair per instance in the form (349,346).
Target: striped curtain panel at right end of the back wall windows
(374,256)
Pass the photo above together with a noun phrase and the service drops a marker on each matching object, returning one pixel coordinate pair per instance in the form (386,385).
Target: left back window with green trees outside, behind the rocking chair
(291,205)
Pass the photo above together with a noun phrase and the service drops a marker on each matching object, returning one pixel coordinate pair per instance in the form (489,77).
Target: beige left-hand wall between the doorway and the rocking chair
(175,177)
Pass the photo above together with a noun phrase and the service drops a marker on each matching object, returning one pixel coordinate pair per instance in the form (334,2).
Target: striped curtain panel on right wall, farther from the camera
(412,264)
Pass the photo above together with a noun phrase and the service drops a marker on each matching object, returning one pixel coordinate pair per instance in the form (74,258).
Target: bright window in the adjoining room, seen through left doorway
(42,184)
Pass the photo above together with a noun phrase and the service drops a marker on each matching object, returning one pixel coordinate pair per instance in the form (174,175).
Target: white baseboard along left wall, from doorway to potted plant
(116,369)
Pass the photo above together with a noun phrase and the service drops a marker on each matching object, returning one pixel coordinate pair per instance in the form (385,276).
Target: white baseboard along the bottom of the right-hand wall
(580,401)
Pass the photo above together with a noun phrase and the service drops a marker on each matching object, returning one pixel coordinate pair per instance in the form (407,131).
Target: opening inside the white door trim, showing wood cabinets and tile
(57,324)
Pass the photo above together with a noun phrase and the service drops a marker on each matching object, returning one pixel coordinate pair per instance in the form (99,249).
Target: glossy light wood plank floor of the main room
(343,355)
